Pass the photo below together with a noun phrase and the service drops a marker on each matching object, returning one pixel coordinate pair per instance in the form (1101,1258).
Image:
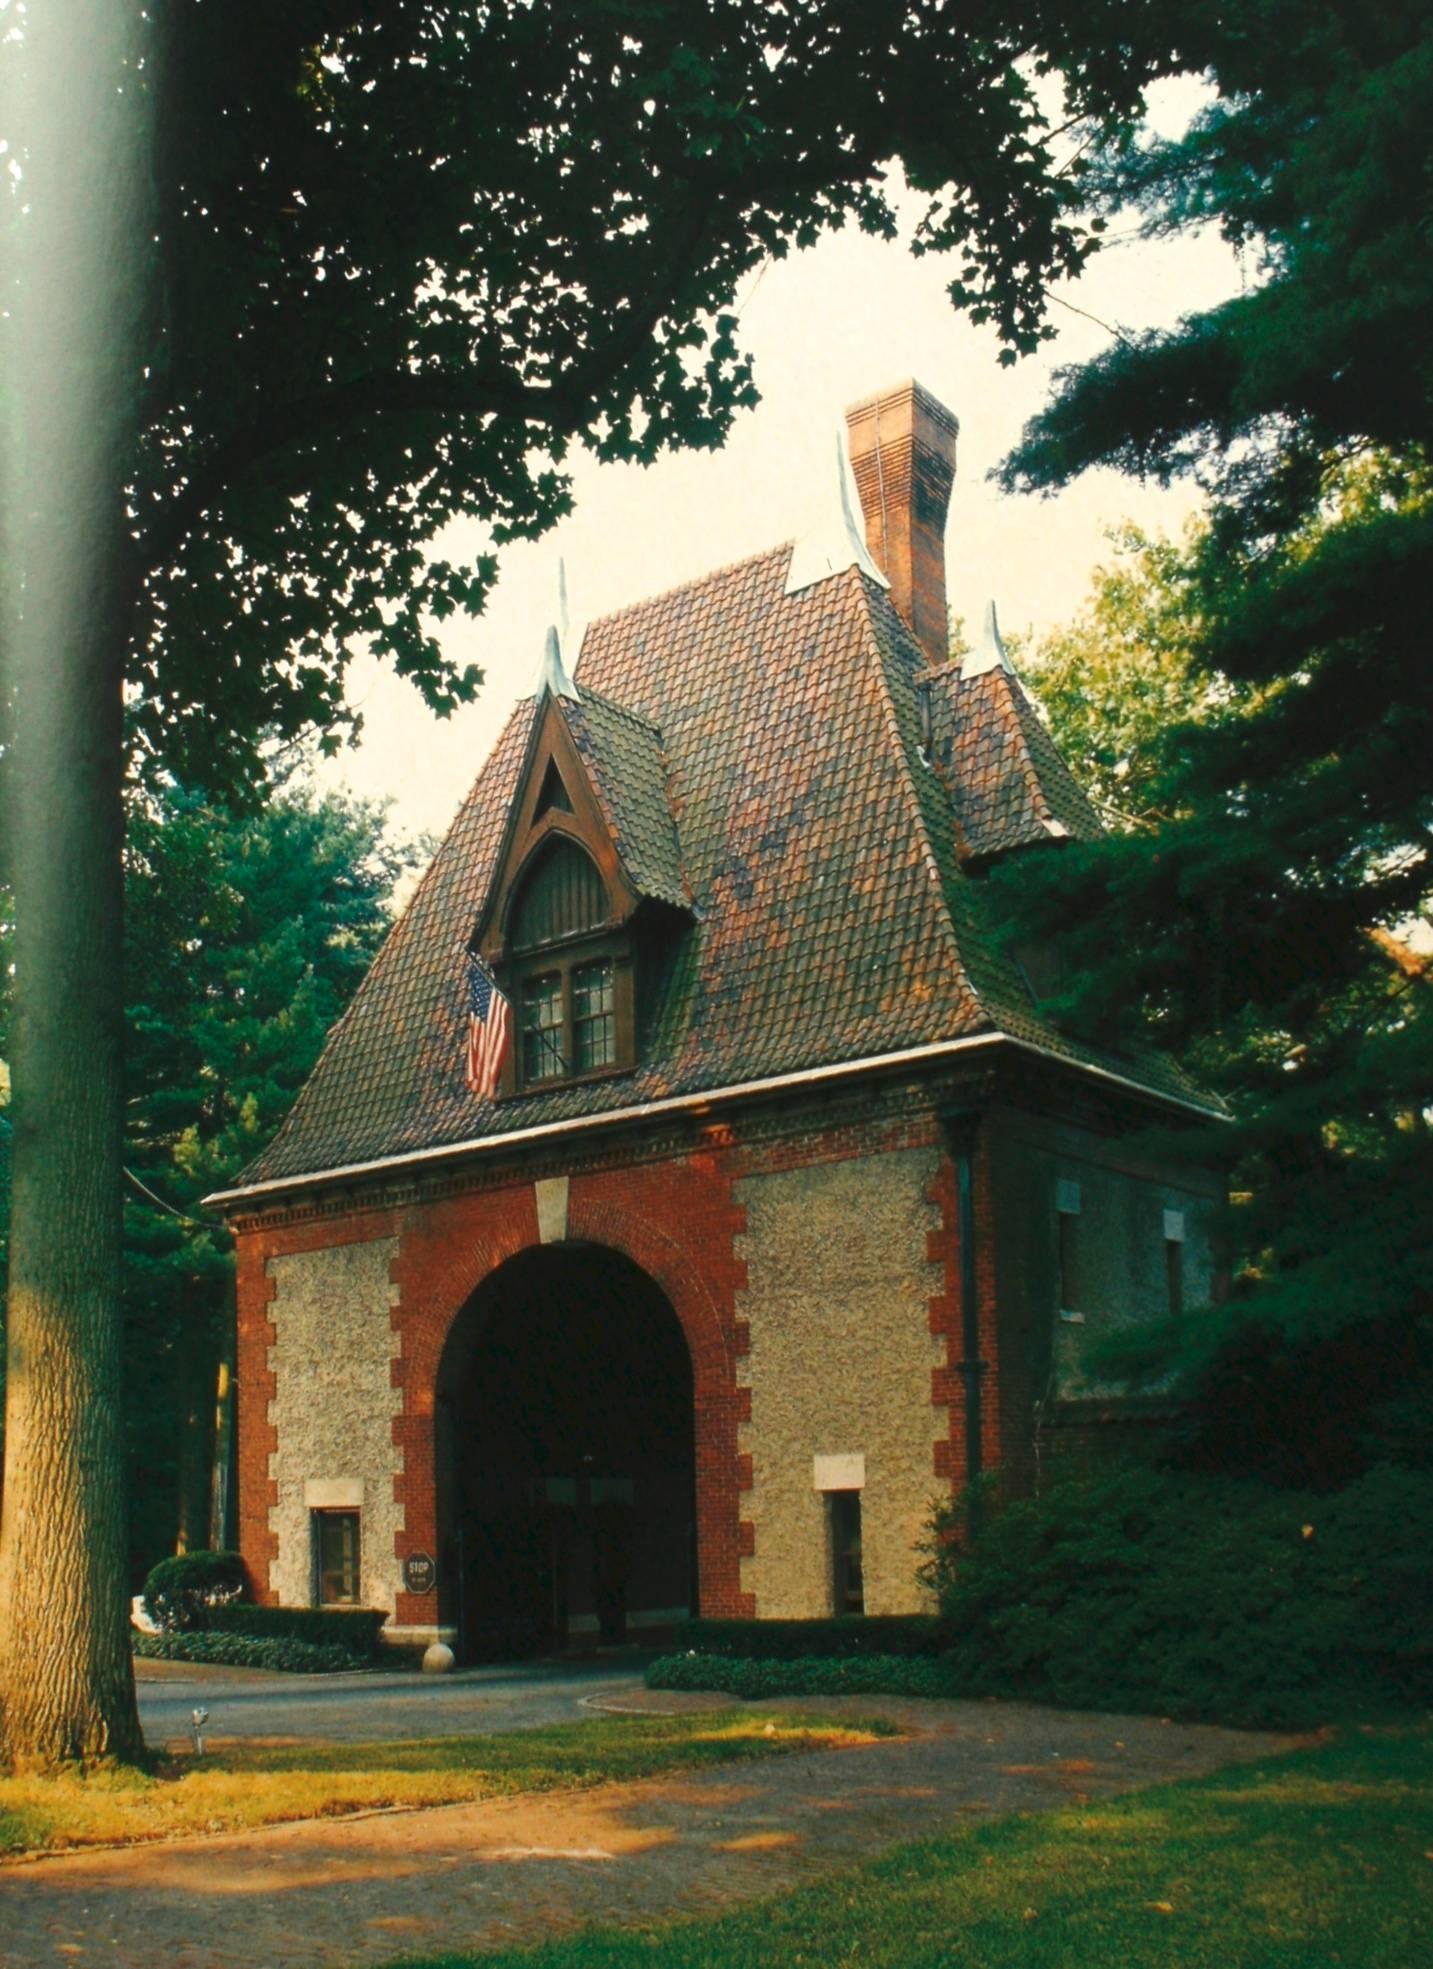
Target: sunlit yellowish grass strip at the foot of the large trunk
(261,1783)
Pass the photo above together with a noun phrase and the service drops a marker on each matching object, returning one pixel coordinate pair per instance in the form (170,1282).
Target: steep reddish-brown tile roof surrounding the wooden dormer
(759,757)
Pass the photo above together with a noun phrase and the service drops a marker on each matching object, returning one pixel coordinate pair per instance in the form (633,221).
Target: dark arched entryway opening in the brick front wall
(566,1460)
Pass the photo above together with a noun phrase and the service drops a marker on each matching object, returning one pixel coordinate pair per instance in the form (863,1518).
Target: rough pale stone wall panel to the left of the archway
(334,1409)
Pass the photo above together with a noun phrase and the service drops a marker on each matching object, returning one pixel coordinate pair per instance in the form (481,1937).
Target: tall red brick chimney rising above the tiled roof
(903,450)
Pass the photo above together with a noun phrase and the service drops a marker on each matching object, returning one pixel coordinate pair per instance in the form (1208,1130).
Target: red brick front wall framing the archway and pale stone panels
(674,1218)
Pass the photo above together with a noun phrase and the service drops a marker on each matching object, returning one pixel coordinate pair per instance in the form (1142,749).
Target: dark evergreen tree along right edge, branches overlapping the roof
(1273,921)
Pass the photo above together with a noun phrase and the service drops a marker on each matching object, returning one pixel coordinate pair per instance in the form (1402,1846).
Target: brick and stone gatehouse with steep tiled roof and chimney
(788,1212)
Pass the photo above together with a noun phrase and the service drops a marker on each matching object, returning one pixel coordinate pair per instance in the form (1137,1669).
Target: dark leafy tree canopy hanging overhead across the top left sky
(408,257)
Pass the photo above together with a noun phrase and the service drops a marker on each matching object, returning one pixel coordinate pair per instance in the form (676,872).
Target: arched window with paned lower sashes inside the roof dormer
(570,972)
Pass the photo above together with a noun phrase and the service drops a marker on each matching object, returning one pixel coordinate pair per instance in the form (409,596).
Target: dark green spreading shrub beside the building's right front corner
(1196,1598)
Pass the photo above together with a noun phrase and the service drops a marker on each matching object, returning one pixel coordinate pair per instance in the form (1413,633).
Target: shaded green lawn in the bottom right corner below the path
(1316,1860)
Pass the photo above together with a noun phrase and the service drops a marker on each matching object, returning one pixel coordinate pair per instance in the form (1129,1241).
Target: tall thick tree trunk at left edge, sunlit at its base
(66,1677)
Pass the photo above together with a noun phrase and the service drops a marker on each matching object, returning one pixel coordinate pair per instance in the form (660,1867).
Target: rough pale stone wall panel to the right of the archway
(840,1287)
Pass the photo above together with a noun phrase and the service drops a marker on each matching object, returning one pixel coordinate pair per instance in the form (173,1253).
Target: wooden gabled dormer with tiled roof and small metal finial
(590,842)
